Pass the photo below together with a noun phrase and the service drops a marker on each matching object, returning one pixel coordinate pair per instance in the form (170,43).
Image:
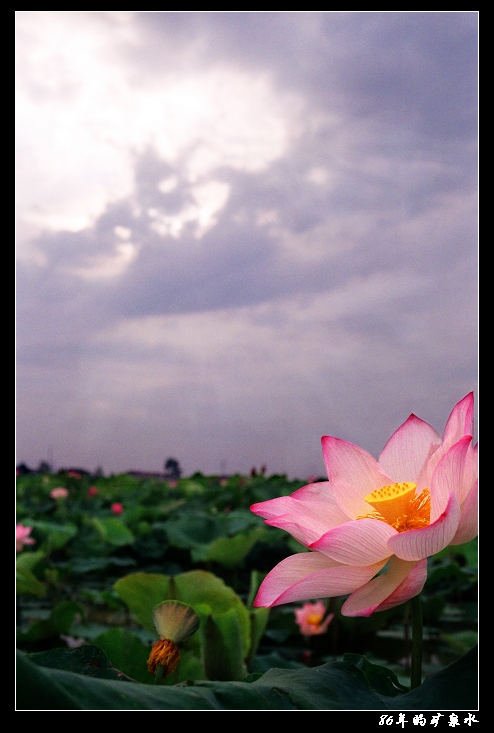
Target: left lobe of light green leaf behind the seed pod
(142,592)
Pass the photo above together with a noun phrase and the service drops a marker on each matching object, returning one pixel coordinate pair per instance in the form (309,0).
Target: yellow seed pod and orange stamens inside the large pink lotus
(398,505)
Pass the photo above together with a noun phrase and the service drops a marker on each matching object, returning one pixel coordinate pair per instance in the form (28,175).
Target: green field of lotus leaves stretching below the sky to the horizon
(87,587)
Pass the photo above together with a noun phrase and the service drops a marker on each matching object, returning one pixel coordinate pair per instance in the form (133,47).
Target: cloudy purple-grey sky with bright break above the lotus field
(240,231)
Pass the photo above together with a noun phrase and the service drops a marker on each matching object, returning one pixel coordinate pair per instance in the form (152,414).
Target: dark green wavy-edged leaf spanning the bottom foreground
(332,686)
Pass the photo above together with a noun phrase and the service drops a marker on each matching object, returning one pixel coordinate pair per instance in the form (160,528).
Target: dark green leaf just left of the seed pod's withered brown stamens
(126,652)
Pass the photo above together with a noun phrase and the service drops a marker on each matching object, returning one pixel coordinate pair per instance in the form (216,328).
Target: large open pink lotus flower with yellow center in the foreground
(371,516)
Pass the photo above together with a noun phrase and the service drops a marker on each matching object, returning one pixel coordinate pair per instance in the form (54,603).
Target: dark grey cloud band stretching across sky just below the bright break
(238,262)
